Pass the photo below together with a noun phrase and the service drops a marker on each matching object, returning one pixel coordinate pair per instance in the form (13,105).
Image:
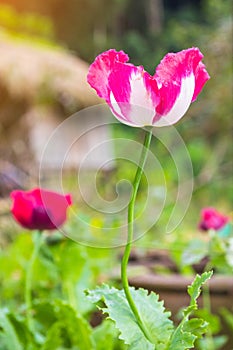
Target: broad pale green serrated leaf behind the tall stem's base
(152,312)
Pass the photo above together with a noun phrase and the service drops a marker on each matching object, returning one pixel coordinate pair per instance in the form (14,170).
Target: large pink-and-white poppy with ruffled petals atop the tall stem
(138,99)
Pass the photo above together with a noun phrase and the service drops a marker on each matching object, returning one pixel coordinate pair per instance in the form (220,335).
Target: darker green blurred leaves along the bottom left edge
(58,326)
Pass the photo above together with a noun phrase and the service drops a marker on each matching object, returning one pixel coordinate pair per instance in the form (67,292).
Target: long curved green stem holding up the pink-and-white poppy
(126,255)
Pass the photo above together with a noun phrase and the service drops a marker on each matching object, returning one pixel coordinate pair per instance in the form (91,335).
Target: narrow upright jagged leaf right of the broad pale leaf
(188,331)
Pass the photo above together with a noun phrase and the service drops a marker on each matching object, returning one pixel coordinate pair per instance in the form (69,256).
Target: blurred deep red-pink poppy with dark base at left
(40,209)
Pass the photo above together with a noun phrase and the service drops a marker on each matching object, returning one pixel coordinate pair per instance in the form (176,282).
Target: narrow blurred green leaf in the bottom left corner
(10,336)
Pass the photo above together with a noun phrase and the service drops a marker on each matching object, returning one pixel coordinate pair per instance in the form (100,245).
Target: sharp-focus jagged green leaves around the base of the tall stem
(163,336)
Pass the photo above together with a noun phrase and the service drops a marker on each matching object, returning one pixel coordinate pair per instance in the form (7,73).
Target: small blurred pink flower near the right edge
(212,219)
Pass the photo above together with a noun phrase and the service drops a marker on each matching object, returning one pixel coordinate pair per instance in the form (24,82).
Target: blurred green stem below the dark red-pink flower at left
(38,238)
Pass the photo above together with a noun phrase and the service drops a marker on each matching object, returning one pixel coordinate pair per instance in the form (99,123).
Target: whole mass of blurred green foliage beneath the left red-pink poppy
(61,311)
